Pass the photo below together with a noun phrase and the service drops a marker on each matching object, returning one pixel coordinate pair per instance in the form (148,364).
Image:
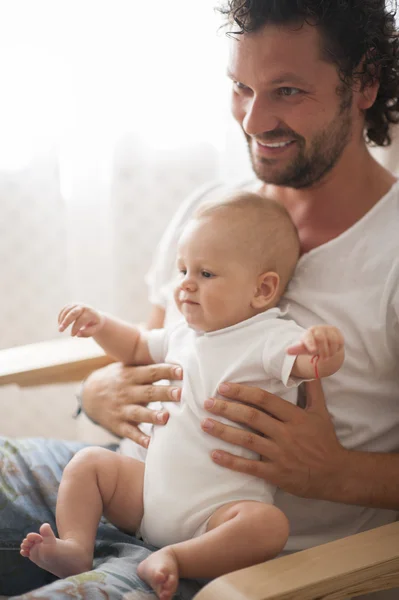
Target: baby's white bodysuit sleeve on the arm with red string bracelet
(277,363)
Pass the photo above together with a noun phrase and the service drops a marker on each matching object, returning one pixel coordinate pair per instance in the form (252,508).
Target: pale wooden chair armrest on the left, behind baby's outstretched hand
(57,361)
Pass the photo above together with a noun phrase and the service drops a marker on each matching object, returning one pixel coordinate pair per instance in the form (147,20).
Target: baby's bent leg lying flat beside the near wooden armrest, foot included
(238,535)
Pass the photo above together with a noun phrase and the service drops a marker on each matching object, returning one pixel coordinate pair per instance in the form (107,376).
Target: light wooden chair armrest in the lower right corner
(346,568)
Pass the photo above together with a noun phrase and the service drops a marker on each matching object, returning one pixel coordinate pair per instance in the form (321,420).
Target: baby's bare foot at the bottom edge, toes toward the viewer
(161,571)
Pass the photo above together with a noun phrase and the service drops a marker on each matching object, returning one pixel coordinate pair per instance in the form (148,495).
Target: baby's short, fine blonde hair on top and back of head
(260,229)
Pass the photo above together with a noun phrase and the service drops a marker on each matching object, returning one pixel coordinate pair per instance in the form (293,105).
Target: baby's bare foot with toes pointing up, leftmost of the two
(60,557)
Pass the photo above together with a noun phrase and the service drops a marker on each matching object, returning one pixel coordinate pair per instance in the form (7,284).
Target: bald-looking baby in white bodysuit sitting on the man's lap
(234,260)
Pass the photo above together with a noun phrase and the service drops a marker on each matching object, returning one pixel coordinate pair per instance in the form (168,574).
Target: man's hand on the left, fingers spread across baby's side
(116,398)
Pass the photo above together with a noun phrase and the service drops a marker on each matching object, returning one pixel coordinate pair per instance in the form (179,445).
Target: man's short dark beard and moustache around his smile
(308,167)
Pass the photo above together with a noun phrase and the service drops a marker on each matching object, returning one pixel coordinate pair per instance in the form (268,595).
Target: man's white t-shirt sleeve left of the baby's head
(161,271)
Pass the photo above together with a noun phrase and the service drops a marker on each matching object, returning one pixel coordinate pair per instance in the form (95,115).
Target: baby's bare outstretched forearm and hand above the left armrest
(124,342)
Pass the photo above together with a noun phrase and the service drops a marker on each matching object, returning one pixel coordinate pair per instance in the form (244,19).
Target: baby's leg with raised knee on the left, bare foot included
(95,482)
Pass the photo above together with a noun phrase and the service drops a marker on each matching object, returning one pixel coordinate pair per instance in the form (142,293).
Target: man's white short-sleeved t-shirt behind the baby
(351,282)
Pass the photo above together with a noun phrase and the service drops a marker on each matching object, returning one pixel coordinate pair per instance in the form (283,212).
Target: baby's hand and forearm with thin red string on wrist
(320,352)
